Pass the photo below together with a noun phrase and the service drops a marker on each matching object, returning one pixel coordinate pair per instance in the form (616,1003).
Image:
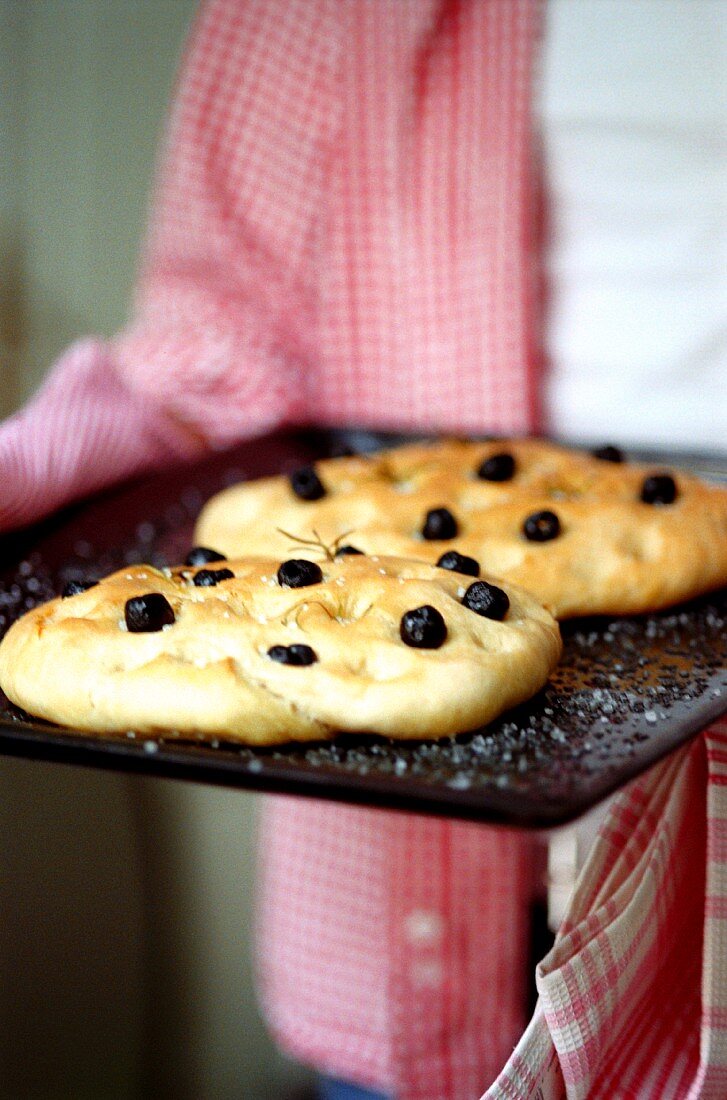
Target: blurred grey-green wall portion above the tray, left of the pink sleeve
(85,90)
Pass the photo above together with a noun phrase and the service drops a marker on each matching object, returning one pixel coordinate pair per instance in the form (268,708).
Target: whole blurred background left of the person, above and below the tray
(126,905)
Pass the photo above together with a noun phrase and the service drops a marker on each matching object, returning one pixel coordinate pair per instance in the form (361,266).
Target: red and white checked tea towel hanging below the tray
(634,995)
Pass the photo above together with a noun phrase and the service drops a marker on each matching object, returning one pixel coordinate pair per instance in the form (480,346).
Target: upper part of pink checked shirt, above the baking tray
(343,226)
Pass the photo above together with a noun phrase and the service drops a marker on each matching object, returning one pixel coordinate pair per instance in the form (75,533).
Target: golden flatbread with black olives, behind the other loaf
(585,535)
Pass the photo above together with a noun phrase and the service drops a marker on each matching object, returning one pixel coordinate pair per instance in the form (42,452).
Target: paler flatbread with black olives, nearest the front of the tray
(267,652)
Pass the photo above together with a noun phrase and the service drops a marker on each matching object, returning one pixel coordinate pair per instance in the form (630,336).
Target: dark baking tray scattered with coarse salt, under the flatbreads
(627,692)
